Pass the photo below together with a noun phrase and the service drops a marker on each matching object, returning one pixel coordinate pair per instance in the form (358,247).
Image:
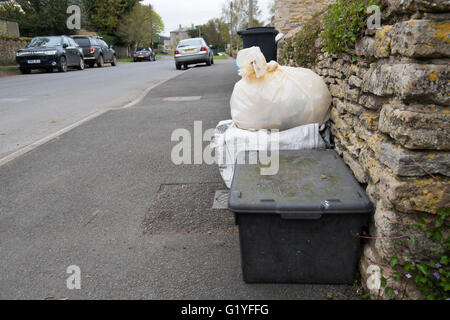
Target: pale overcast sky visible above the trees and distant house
(188,12)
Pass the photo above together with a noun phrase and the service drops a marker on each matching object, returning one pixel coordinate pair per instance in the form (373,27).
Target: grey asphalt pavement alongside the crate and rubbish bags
(84,199)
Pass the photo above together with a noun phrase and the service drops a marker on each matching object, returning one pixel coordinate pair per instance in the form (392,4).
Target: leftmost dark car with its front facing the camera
(50,52)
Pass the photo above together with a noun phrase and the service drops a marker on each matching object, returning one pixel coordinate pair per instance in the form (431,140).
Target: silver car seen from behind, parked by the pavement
(192,51)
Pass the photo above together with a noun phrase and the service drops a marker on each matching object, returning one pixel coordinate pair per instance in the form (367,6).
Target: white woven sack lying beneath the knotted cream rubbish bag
(229,141)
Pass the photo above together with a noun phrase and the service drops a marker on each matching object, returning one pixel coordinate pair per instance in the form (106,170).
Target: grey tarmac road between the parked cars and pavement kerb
(35,106)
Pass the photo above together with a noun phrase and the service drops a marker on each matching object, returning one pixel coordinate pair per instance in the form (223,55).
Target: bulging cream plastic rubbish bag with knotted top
(270,96)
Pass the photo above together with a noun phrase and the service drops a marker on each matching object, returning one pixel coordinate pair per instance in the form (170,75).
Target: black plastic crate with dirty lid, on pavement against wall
(301,225)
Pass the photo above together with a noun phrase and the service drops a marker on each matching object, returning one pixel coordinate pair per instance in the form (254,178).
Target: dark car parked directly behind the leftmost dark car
(96,51)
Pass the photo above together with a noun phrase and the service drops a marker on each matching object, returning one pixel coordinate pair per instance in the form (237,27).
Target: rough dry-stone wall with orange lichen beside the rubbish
(391,116)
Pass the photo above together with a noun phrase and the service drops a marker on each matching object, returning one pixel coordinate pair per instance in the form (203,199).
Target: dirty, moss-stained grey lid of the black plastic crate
(309,183)
